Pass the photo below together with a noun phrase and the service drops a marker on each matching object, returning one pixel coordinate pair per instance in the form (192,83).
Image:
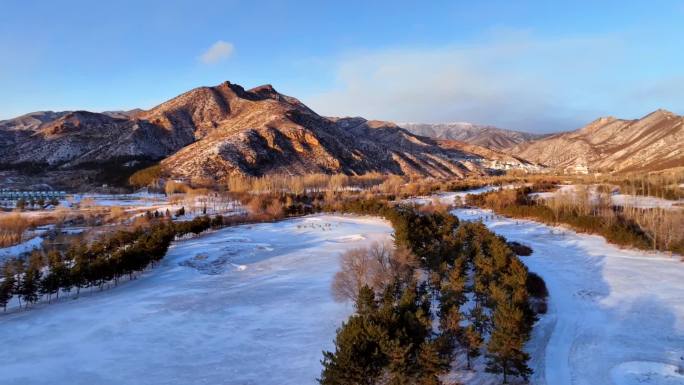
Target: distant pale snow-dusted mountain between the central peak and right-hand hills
(485,136)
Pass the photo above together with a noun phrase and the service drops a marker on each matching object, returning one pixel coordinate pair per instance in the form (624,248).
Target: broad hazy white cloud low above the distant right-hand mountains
(516,81)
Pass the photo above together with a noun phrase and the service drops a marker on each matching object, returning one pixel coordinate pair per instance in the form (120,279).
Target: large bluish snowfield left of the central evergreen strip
(242,305)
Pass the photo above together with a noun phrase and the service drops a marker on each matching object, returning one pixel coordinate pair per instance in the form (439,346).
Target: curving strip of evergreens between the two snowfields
(476,287)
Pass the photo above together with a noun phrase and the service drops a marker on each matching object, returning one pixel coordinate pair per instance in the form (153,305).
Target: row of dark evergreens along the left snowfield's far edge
(123,253)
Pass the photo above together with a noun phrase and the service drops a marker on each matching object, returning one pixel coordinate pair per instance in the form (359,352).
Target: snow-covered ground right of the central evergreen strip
(615,316)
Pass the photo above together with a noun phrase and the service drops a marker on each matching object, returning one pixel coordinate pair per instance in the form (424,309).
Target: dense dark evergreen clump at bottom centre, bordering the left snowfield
(388,338)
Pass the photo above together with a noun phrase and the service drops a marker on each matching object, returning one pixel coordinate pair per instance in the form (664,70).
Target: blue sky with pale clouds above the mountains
(537,66)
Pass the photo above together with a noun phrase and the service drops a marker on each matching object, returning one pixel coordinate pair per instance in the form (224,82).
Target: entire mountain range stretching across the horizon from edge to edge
(214,132)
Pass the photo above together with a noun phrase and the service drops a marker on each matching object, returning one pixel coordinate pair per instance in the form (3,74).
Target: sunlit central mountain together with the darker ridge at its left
(213,132)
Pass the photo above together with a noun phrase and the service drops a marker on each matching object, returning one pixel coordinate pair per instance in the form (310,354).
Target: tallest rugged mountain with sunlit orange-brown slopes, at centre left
(260,131)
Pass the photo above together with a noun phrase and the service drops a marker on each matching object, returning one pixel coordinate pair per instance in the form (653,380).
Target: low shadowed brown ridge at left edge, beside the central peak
(74,138)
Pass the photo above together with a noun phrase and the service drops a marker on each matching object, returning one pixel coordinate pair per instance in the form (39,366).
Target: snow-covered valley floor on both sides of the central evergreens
(252,305)
